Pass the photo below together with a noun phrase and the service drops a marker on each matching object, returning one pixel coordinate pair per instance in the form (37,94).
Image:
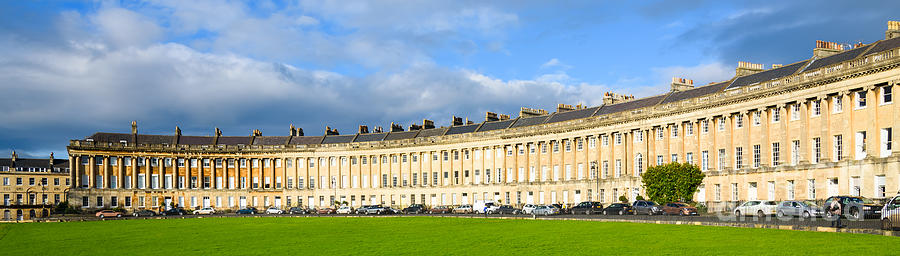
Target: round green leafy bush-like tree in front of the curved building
(672,182)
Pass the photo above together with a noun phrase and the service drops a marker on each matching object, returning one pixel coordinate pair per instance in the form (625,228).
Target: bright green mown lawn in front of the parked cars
(417,235)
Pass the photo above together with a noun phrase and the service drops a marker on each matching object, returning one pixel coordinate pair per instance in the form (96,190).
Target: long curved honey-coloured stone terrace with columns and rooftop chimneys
(805,130)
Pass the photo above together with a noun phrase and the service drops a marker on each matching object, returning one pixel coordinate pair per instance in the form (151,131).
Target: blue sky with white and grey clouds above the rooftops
(72,68)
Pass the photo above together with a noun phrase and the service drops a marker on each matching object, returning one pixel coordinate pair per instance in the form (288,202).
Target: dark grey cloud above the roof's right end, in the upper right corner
(784,32)
